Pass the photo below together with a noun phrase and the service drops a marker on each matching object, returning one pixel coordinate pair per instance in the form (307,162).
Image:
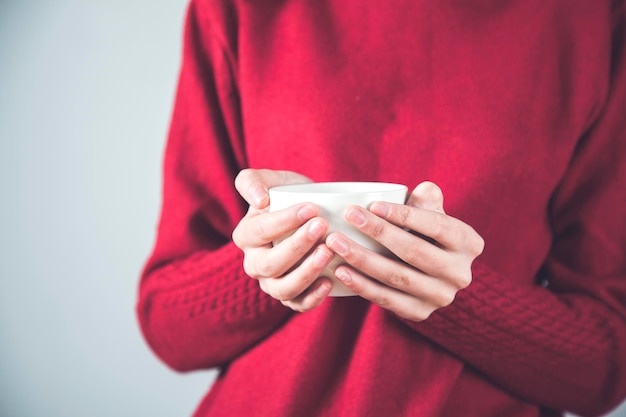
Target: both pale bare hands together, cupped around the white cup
(433,251)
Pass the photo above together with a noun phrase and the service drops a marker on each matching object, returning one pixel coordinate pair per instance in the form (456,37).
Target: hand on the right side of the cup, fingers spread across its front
(434,254)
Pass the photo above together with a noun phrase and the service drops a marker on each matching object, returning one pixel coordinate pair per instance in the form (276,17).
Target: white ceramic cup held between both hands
(333,198)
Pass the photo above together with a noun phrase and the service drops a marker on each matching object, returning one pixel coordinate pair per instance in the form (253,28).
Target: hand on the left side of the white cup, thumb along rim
(289,270)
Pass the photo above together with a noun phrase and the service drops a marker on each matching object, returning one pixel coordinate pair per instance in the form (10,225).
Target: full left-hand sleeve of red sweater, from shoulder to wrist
(196,307)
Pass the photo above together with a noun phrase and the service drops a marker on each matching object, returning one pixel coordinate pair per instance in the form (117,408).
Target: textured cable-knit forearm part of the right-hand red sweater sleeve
(543,347)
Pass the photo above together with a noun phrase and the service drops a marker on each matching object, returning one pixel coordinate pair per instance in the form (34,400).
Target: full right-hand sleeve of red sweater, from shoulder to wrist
(561,344)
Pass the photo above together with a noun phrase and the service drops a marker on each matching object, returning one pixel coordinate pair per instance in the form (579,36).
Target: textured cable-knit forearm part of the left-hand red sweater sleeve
(202,311)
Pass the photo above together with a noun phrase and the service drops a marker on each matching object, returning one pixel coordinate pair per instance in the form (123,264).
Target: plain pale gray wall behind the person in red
(86,89)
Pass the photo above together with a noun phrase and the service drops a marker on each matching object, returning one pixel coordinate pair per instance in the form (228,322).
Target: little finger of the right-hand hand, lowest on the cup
(403,304)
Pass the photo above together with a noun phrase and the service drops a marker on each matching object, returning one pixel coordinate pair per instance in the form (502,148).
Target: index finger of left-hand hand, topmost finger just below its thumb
(264,228)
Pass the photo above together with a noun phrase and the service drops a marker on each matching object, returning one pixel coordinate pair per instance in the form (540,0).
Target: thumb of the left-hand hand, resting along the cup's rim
(253,184)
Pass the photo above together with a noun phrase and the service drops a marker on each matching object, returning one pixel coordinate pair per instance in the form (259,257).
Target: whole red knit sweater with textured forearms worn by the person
(517,109)
